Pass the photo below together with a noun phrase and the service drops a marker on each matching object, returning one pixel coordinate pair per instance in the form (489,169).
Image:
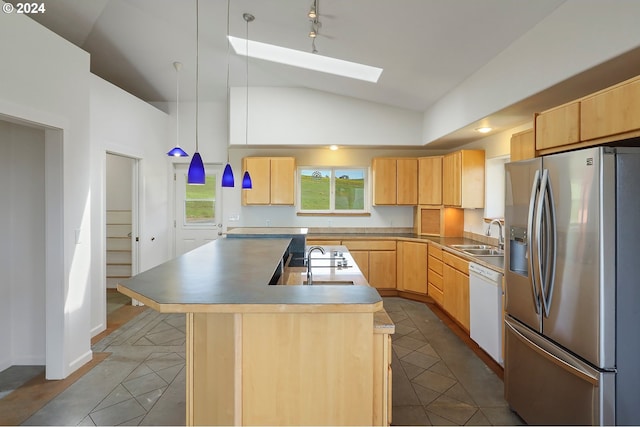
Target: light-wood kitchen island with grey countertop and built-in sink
(268,354)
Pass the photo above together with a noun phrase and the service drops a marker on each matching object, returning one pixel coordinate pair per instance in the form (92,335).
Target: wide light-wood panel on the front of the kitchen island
(323,362)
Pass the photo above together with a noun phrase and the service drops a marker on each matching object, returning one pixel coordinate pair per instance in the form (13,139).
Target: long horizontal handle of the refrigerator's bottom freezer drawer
(545,349)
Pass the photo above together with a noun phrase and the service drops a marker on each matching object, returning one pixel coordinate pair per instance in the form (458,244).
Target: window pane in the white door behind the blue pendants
(200,202)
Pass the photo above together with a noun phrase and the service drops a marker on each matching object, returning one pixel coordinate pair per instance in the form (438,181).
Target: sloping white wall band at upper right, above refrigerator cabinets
(579,35)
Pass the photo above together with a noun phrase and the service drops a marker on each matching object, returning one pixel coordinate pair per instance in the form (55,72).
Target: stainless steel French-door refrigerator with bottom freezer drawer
(572,272)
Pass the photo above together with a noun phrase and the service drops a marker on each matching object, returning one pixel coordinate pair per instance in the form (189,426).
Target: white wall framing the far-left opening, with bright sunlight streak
(45,80)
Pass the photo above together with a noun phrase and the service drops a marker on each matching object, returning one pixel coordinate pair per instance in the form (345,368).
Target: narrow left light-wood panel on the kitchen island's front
(213,392)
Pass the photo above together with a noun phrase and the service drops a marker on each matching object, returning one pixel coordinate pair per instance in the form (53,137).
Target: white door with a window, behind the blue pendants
(198,209)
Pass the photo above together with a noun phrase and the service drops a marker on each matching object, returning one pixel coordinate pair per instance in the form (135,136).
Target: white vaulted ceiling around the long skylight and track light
(426,47)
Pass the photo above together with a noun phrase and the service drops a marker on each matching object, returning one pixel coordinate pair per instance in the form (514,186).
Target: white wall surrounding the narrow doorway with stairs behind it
(123,124)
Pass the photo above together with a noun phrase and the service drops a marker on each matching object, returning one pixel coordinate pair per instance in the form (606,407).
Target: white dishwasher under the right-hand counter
(485,309)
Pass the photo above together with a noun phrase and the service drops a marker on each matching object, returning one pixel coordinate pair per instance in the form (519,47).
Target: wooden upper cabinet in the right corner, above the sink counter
(463,179)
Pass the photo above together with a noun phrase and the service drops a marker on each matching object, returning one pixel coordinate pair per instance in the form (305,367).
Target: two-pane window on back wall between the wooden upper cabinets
(333,190)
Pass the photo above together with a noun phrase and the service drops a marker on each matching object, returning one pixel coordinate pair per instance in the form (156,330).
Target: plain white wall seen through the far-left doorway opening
(22,246)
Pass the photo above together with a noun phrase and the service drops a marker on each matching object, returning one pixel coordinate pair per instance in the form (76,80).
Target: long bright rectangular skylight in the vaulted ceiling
(310,61)
